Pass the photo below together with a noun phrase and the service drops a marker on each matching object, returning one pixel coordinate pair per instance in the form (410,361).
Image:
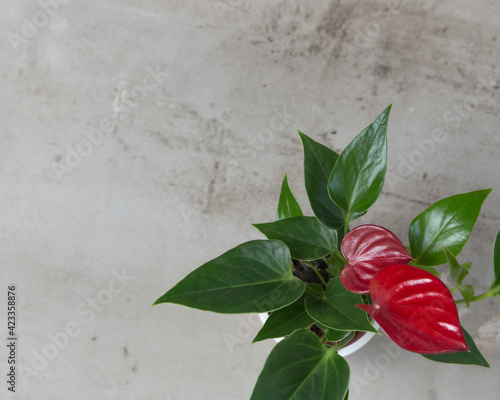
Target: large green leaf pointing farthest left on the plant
(255,276)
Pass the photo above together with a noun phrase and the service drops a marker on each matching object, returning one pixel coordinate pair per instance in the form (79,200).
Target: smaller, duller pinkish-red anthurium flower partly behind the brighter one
(368,249)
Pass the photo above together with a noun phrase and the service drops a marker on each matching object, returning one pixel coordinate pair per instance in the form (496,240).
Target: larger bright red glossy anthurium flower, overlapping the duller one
(416,310)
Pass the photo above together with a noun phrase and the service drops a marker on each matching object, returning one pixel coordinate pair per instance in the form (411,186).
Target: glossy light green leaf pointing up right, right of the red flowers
(446,223)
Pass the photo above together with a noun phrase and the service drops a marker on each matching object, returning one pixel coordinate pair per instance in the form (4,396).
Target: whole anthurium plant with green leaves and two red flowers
(323,284)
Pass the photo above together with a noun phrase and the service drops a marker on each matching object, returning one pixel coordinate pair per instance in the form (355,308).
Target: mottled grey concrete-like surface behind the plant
(191,109)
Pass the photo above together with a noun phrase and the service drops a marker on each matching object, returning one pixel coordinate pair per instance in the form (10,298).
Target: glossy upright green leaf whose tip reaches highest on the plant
(358,176)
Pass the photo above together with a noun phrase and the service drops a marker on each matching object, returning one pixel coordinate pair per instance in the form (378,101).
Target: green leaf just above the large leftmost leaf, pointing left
(307,238)
